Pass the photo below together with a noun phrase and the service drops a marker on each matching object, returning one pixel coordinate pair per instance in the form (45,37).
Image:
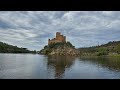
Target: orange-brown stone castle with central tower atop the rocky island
(59,38)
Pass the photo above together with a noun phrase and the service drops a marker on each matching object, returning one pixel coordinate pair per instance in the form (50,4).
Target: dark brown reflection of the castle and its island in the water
(60,63)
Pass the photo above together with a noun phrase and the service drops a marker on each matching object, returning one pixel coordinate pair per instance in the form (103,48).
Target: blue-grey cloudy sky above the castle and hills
(32,29)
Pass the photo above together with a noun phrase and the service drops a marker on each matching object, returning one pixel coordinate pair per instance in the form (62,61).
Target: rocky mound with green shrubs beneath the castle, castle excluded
(61,48)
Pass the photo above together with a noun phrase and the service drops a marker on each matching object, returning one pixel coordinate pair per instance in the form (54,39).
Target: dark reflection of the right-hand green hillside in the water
(112,63)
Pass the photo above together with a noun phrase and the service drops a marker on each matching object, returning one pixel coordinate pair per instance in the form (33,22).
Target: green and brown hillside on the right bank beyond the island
(111,48)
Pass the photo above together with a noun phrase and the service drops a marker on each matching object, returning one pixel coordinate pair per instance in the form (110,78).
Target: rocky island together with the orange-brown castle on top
(59,46)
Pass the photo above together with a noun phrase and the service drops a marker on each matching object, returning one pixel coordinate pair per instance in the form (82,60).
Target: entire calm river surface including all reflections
(31,66)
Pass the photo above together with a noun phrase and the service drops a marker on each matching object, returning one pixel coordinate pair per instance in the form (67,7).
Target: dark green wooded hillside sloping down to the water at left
(6,48)
